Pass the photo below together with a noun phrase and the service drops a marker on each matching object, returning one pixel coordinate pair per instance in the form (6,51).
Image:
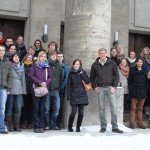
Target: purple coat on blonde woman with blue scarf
(38,75)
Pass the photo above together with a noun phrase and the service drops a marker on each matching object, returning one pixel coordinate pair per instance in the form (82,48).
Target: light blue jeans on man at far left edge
(3,98)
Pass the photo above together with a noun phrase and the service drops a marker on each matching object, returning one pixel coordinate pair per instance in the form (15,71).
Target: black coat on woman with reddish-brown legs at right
(137,82)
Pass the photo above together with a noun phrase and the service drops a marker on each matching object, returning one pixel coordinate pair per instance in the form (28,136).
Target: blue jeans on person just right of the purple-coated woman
(52,108)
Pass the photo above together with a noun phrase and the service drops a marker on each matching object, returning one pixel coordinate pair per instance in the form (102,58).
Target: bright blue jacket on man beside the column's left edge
(65,71)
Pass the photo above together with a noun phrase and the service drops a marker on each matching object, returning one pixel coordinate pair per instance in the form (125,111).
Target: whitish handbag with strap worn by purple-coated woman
(40,91)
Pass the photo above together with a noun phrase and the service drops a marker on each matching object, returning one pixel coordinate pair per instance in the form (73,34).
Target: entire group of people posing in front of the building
(24,70)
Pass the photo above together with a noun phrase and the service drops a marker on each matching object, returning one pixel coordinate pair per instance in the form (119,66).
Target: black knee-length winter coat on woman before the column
(76,92)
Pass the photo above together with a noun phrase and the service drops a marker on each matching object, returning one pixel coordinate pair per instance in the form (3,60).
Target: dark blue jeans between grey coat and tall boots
(14,104)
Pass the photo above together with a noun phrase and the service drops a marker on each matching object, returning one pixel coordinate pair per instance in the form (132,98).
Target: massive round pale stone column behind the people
(87,29)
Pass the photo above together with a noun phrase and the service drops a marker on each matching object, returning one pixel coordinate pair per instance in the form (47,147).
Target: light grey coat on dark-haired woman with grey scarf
(18,81)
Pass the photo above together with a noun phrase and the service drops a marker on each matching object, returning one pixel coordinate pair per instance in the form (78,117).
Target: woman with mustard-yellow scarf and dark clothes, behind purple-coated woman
(27,109)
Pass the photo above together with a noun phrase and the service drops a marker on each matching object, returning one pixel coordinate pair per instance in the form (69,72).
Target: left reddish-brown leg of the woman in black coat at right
(132,113)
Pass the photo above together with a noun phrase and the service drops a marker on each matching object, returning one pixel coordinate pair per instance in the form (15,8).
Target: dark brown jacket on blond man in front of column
(104,75)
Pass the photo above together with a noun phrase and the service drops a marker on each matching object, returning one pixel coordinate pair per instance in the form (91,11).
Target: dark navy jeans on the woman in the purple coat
(38,111)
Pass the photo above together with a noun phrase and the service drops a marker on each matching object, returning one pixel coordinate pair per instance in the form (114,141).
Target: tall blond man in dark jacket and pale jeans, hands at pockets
(105,77)
